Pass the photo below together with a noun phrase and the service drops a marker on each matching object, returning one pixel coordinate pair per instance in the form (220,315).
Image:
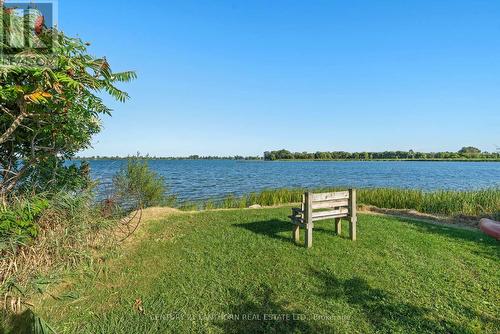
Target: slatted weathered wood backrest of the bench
(329,205)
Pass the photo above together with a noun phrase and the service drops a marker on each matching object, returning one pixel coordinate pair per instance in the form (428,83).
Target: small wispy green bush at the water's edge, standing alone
(138,185)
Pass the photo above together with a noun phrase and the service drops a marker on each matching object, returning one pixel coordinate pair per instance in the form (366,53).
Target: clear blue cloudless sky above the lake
(241,77)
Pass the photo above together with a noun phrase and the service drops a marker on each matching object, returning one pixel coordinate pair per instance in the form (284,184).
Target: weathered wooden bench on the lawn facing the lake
(336,205)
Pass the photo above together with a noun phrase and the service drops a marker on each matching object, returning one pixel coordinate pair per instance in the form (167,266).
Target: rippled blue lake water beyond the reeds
(202,179)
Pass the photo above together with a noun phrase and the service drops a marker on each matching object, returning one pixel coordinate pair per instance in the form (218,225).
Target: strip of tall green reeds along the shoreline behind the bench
(474,203)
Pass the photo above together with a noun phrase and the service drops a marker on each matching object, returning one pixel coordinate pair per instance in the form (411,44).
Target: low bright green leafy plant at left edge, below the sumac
(19,220)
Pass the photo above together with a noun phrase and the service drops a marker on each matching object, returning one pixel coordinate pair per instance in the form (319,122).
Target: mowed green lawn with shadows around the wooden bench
(236,271)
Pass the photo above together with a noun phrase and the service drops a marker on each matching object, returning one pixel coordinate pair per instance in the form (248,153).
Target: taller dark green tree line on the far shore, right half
(465,153)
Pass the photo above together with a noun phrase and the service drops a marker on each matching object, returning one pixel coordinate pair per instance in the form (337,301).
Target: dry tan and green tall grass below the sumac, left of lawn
(68,232)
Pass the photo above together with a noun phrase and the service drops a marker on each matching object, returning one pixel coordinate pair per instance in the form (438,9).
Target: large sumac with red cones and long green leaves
(51,106)
